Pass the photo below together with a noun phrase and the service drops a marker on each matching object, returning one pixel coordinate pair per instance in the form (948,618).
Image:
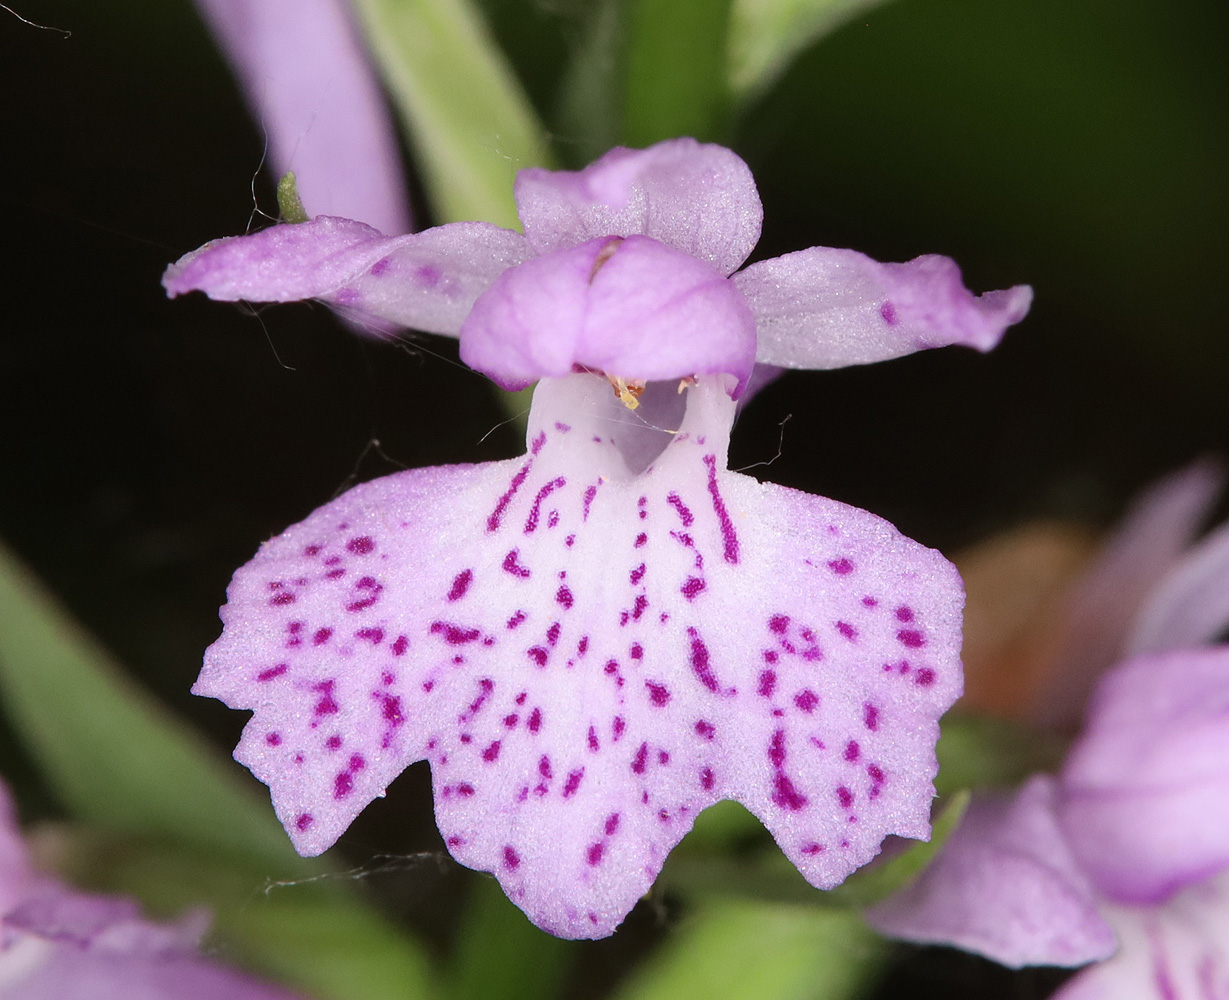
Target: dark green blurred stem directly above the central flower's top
(677,71)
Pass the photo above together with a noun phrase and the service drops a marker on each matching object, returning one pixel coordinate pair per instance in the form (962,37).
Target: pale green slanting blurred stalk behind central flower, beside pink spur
(466,114)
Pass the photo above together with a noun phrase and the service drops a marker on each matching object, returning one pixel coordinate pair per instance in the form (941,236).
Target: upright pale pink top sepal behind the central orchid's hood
(694,197)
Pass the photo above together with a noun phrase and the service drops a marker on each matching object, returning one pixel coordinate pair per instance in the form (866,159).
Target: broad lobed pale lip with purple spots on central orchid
(591,657)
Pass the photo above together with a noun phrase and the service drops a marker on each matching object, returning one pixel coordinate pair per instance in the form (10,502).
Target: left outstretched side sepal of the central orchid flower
(427,281)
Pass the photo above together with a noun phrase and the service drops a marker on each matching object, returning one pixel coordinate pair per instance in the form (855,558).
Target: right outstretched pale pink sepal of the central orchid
(827,309)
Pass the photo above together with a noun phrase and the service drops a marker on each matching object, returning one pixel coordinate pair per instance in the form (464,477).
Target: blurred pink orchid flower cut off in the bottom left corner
(58,944)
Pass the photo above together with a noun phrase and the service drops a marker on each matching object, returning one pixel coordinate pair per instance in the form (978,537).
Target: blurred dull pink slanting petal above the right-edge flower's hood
(1104,604)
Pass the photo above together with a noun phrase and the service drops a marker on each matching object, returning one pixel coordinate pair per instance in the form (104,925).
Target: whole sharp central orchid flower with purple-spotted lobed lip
(593,643)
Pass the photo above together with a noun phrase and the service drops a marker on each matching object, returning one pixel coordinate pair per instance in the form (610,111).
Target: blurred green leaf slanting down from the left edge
(112,755)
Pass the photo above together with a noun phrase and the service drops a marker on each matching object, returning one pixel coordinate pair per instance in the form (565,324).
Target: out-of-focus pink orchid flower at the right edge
(1125,854)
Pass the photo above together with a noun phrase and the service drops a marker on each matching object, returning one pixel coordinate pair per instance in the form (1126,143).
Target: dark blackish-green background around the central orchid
(147,448)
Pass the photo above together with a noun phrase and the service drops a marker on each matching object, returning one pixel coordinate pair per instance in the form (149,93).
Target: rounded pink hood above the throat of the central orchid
(631,308)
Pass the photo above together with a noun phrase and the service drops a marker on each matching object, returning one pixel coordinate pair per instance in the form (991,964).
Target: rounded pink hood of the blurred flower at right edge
(1145,797)
